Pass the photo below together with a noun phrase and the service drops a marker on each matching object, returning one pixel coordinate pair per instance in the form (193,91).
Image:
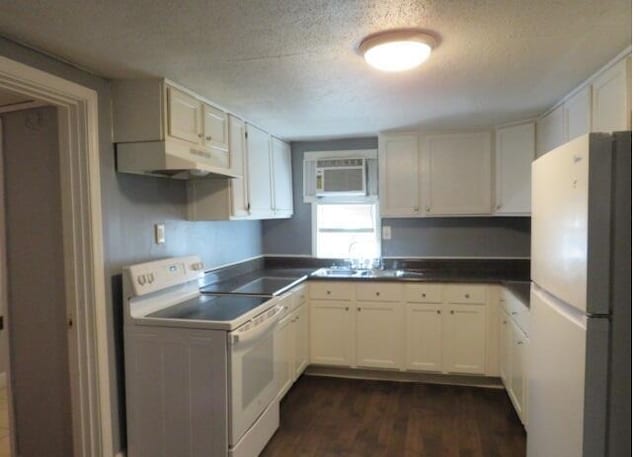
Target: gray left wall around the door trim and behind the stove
(131,205)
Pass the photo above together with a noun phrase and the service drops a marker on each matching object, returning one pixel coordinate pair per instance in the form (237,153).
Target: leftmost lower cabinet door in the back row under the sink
(331,333)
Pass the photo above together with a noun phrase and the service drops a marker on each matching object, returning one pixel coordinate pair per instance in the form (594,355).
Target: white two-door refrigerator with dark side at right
(580,328)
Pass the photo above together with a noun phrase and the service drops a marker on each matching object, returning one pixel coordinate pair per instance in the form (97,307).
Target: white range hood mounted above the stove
(172,159)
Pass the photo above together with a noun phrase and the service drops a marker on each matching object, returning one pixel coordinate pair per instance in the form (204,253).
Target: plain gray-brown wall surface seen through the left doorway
(37,311)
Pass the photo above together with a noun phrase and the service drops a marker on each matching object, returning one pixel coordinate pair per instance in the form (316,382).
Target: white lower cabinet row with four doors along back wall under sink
(428,327)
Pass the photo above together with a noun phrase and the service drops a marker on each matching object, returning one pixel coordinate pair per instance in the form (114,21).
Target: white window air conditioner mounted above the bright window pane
(341,177)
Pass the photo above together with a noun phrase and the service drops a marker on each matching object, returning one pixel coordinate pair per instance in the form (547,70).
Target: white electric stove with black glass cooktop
(200,369)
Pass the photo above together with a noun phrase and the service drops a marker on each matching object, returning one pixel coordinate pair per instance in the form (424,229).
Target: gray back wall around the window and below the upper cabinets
(419,237)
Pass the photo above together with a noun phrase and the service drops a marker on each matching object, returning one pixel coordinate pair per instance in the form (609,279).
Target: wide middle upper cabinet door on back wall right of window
(459,179)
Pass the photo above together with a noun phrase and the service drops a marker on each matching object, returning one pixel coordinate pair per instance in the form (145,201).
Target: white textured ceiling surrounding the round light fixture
(291,66)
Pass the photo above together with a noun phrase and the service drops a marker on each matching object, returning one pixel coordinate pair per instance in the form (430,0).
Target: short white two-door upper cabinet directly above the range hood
(155,110)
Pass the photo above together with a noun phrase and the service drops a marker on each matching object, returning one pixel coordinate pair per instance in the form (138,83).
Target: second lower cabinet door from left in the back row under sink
(378,335)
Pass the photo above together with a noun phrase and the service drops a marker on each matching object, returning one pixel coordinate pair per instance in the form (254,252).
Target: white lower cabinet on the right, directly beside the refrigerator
(513,351)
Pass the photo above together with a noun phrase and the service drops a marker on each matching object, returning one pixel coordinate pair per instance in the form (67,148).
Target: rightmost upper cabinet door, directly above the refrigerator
(612,99)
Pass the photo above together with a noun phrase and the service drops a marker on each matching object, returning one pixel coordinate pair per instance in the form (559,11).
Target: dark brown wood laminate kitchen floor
(334,417)
